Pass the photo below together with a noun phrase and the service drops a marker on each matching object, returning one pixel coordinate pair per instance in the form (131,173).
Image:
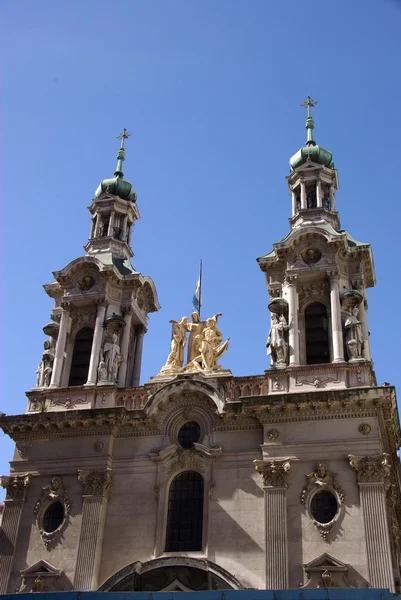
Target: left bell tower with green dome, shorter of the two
(101,305)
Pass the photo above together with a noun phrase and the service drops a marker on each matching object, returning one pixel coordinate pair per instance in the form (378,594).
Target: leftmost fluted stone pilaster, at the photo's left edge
(17,487)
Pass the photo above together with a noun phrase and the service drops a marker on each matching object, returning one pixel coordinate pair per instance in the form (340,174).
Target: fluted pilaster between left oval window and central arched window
(95,497)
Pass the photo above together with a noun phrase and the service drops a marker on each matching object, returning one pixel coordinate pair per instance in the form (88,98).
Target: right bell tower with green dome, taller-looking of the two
(316,279)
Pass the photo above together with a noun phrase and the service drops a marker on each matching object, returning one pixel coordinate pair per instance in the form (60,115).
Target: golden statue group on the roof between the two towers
(205,345)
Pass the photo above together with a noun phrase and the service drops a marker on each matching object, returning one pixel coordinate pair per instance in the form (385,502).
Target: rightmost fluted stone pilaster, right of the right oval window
(373,476)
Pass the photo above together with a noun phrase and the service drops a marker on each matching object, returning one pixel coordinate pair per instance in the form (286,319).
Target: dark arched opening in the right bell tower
(316,334)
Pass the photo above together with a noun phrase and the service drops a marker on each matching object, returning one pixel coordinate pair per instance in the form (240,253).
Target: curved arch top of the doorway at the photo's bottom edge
(171,574)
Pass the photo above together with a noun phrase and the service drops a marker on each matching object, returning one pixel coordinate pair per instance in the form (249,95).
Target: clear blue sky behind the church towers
(211,93)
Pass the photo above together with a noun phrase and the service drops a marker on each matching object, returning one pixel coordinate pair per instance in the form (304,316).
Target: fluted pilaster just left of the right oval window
(275,474)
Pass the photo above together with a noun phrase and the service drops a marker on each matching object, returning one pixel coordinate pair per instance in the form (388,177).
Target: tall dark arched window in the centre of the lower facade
(185,513)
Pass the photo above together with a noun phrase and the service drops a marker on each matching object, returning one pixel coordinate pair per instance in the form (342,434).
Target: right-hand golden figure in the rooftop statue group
(210,347)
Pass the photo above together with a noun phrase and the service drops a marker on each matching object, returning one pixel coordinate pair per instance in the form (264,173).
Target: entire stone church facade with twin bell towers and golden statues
(200,480)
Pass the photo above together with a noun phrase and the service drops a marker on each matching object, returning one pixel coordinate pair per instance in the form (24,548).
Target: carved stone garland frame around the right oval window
(321,479)
